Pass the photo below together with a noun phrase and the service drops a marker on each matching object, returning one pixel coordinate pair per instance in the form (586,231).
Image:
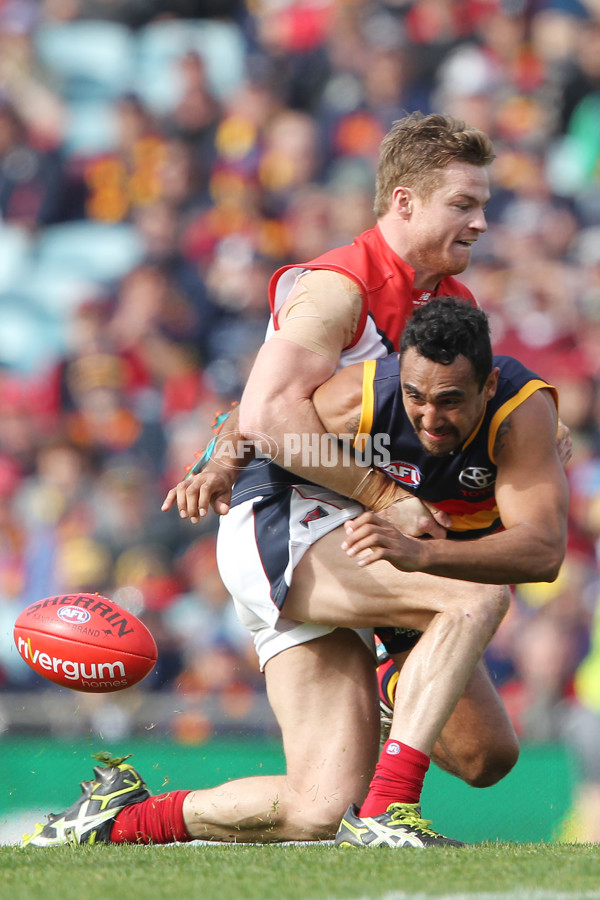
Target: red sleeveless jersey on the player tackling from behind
(386,283)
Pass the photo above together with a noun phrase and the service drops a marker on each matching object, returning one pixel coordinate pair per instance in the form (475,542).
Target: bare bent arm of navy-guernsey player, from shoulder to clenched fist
(532,497)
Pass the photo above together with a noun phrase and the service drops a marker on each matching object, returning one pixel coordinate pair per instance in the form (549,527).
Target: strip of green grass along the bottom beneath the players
(311,872)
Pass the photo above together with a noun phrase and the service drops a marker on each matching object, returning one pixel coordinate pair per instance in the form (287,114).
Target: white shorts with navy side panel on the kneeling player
(259,544)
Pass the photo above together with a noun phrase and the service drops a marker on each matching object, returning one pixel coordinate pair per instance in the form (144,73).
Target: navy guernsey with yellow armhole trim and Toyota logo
(461,484)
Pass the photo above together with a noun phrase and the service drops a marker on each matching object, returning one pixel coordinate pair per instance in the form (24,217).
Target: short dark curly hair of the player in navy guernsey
(447,327)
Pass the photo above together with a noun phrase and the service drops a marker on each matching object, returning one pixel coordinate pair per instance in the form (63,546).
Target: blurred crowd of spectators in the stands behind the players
(158,161)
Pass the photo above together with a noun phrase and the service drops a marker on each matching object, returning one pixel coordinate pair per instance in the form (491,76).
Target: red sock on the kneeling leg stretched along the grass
(158,820)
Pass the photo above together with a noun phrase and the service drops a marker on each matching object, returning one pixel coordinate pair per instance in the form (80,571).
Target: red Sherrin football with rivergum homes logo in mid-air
(85,642)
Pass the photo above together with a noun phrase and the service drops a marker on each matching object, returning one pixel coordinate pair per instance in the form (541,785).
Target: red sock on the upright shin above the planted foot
(398,778)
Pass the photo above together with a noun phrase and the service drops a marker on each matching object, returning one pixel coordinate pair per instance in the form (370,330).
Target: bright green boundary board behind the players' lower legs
(38,776)
